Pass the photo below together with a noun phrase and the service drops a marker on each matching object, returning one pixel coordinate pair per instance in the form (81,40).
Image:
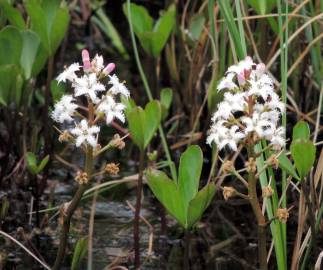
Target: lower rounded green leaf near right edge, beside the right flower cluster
(303,153)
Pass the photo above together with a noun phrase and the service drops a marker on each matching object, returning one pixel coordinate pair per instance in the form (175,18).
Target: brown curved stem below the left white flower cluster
(70,211)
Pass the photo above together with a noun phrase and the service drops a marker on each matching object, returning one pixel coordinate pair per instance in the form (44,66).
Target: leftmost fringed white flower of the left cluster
(64,109)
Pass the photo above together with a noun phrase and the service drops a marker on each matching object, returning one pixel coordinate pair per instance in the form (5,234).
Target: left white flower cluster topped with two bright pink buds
(90,85)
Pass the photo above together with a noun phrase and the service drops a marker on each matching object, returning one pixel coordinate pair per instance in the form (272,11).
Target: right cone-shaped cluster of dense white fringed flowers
(250,108)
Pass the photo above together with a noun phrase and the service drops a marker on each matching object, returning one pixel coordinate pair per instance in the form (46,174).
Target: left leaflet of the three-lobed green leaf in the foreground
(166,192)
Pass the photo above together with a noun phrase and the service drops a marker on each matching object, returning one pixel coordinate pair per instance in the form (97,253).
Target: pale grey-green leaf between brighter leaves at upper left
(31,44)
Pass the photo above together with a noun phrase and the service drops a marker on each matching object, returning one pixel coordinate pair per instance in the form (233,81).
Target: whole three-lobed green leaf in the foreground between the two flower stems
(182,200)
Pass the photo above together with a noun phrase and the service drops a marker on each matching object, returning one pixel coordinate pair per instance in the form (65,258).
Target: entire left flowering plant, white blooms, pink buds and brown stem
(92,103)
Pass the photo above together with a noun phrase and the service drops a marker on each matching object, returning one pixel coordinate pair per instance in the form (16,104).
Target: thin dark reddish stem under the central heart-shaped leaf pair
(136,236)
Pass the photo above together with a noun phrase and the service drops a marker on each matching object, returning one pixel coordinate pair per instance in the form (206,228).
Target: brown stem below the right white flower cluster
(253,198)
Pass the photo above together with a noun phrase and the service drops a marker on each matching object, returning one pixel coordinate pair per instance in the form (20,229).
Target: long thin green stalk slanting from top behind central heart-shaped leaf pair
(148,92)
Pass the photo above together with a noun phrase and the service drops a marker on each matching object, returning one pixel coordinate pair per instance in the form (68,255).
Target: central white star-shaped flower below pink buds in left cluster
(88,85)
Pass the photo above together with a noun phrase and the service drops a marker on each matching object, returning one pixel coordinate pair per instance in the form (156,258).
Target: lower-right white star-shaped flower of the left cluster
(111,109)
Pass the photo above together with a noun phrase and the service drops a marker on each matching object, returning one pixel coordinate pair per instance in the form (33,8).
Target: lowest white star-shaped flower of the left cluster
(85,134)
